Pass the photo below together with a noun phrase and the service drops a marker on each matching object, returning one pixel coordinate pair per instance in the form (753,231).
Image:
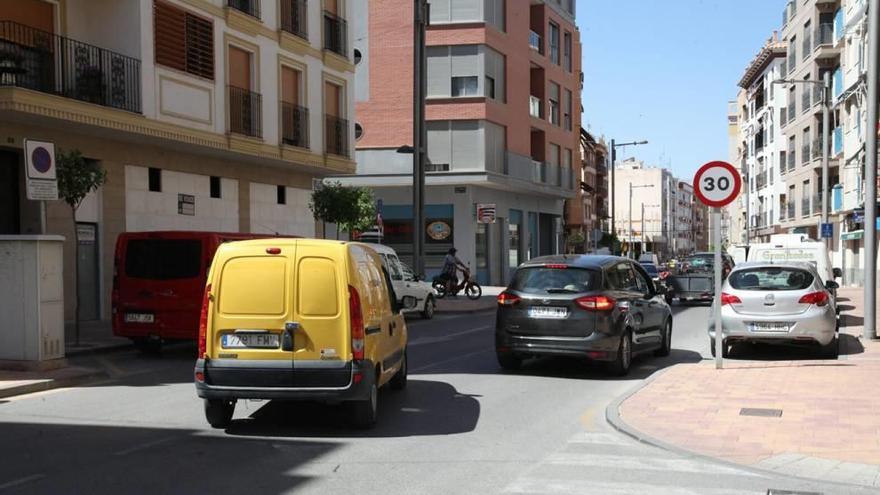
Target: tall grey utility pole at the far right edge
(870,324)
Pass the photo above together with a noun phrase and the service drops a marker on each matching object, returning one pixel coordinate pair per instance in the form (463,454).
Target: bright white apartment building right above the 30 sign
(766,151)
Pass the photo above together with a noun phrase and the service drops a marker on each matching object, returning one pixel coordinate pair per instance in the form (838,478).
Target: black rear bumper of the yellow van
(285,380)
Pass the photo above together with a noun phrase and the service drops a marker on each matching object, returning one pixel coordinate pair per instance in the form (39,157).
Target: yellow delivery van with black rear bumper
(299,319)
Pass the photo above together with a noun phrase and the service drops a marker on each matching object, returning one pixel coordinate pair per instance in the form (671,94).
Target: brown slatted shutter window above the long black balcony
(183,41)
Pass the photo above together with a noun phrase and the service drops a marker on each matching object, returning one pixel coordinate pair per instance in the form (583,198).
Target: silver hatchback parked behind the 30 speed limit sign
(777,303)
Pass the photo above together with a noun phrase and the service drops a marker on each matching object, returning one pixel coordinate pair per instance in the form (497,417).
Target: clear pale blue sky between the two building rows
(664,70)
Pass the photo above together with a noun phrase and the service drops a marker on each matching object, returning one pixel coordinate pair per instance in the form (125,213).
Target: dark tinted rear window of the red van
(163,259)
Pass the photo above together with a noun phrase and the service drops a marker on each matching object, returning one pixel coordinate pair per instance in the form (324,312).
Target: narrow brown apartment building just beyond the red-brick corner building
(587,211)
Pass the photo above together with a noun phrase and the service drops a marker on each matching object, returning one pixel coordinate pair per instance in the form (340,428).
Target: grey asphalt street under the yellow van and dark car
(461,426)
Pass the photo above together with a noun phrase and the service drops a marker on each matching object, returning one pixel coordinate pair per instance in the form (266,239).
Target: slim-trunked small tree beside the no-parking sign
(77,177)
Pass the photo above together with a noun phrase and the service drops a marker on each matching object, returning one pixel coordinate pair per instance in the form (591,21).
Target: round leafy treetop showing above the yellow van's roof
(350,208)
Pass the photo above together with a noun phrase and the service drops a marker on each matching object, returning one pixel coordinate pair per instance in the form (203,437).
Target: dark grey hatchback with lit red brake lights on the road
(605,308)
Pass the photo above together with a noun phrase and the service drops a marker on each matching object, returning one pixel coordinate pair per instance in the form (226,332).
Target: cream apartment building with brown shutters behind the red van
(206,115)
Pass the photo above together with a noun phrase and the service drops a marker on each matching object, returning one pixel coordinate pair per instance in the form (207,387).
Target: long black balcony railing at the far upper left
(48,63)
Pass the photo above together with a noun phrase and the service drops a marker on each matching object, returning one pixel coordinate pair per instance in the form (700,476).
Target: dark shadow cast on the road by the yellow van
(423,408)
